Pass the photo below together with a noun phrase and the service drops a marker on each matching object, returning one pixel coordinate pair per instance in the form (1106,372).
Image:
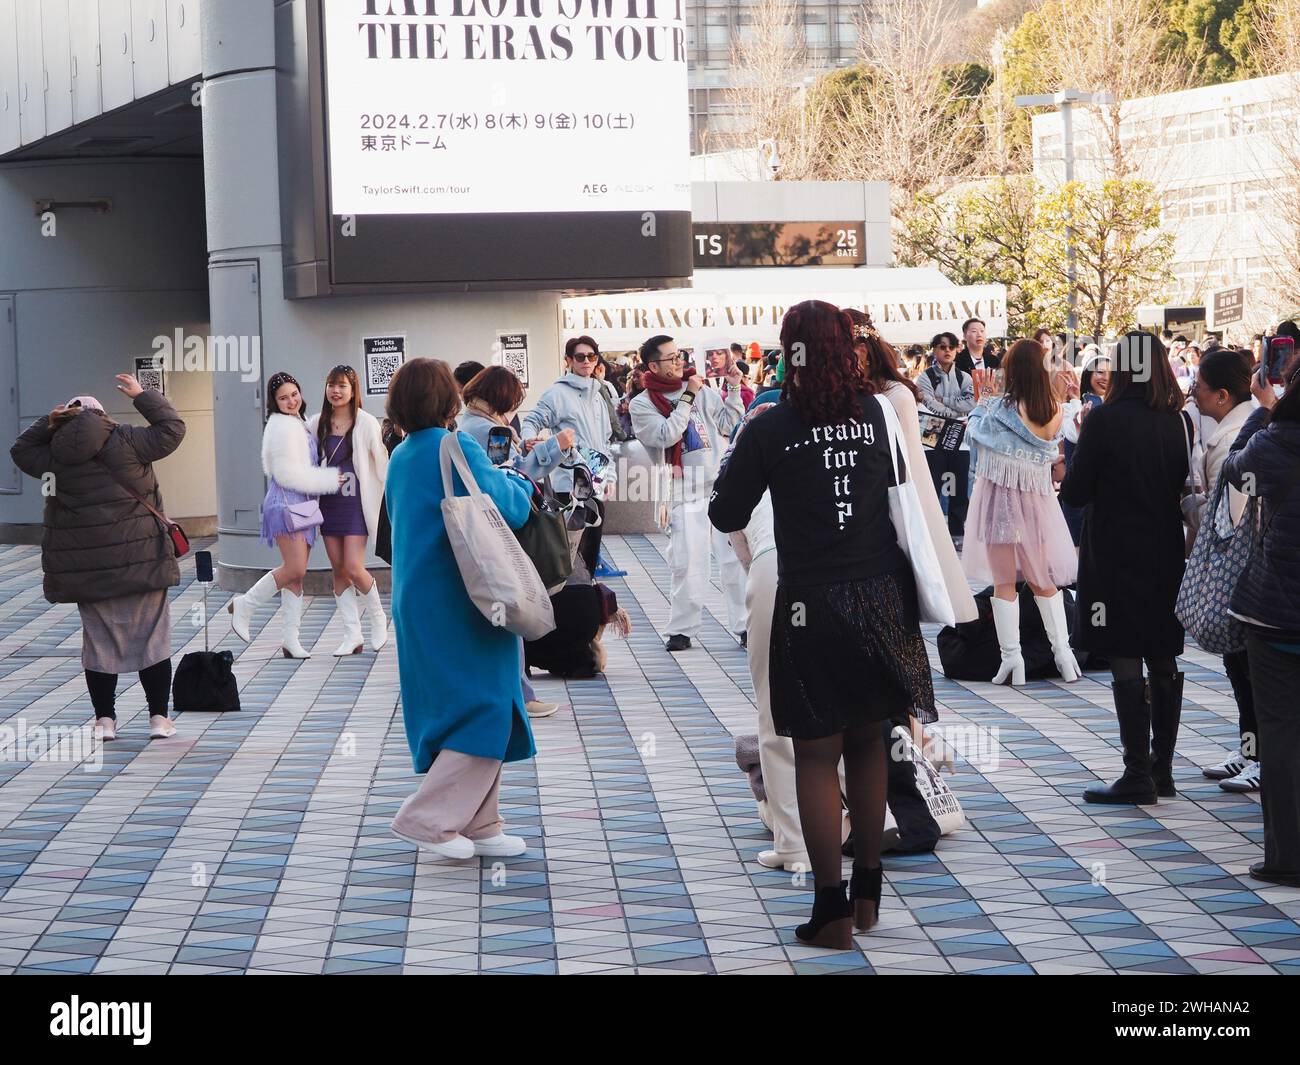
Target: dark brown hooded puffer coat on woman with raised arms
(99,543)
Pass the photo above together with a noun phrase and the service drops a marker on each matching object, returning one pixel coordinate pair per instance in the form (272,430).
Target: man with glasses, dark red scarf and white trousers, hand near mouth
(684,426)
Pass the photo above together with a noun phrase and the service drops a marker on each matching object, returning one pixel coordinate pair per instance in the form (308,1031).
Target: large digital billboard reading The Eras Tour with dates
(541,142)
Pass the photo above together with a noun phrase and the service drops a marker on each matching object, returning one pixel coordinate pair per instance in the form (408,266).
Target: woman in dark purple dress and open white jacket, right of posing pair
(349,439)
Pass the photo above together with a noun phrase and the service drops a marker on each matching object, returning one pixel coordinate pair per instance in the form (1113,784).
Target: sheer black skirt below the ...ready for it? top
(848,655)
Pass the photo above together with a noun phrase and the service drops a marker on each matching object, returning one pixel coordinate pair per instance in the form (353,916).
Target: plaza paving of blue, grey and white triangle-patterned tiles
(258,842)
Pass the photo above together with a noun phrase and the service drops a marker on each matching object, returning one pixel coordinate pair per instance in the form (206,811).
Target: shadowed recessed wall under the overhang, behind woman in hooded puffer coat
(97,293)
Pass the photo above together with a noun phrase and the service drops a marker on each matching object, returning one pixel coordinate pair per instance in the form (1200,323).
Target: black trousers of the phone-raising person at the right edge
(1276,678)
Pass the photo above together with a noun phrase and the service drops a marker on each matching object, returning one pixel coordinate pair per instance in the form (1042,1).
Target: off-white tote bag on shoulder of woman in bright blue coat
(500,578)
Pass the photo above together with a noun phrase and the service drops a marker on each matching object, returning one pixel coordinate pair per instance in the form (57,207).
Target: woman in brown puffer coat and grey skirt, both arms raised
(103,549)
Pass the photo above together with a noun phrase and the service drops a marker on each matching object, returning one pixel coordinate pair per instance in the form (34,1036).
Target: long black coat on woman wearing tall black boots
(1129,473)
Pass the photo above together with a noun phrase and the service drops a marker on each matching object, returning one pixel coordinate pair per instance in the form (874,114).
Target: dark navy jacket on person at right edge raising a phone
(1268,462)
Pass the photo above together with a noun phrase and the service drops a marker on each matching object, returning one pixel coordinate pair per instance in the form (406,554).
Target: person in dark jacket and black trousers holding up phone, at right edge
(1266,460)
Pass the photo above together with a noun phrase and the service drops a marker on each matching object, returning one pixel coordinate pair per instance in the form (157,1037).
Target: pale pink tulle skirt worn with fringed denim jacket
(1017,536)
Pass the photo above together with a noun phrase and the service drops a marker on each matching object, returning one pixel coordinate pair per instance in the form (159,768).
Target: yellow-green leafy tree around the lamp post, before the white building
(1121,252)
